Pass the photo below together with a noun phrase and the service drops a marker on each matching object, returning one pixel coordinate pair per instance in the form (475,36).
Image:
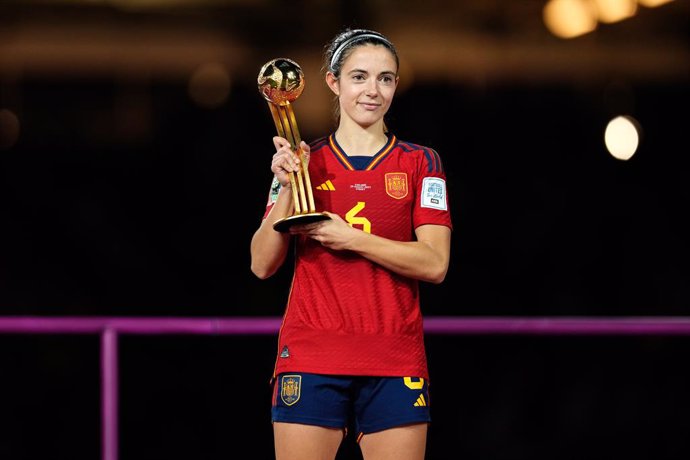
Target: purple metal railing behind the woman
(110,327)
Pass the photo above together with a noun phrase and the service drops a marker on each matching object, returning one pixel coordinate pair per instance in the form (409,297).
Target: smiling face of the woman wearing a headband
(366,86)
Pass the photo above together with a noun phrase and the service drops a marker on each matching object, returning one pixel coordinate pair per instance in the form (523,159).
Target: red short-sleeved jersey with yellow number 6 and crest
(347,315)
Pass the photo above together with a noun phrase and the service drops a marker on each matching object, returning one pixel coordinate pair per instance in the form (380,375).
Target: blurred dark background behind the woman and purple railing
(134,168)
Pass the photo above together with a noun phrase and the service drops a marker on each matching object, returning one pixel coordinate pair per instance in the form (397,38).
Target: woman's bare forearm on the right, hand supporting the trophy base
(426,259)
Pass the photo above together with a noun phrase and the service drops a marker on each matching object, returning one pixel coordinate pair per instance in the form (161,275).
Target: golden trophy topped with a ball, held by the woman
(281,81)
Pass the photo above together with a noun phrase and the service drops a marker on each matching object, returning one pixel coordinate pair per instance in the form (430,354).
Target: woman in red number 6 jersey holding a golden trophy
(351,346)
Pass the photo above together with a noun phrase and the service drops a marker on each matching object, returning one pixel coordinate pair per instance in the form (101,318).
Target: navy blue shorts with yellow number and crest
(367,404)
